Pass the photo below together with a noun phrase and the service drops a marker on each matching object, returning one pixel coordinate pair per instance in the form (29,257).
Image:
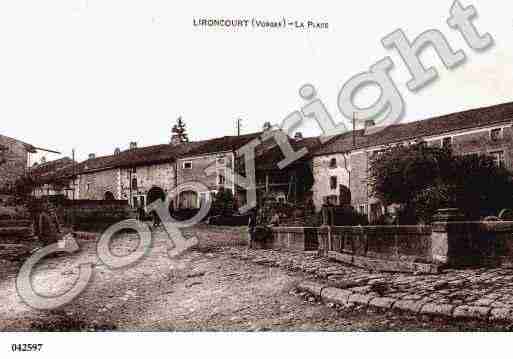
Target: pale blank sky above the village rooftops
(96,74)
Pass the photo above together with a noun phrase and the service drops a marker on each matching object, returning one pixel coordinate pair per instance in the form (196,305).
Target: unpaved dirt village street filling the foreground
(217,286)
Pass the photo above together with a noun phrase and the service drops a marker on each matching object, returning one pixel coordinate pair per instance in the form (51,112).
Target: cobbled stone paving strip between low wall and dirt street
(485,293)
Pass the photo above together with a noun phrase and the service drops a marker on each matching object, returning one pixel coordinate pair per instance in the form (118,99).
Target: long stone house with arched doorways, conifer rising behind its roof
(142,175)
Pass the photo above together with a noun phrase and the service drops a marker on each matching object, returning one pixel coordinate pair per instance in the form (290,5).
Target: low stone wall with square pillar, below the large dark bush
(423,249)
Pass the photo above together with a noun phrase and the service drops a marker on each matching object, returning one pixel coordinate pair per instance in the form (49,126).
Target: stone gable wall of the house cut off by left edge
(16,164)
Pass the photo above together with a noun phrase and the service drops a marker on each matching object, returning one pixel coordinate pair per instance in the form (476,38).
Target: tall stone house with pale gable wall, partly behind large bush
(343,162)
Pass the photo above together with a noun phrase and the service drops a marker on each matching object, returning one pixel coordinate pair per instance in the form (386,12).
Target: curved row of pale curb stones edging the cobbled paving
(345,296)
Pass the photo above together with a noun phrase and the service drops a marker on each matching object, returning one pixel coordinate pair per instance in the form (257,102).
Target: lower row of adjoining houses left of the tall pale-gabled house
(141,175)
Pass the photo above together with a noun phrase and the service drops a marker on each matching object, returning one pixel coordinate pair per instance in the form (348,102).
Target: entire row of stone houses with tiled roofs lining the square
(335,172)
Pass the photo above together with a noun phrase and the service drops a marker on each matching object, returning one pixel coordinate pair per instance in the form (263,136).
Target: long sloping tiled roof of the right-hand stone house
(430,127)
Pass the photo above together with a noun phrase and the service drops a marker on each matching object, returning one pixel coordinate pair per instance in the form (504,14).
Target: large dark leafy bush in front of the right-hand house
(425,179)
